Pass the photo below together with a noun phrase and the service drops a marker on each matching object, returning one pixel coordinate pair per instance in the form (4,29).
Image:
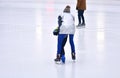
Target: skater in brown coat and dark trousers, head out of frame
(81,7)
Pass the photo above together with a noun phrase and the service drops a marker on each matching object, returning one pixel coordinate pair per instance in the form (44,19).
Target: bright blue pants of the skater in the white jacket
(60,42)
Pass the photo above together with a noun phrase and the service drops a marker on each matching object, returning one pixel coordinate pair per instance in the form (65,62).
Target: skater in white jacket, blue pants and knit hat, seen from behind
(67,28)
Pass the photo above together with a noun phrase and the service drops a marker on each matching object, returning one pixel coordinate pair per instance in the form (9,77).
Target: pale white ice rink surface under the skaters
(28,47)
